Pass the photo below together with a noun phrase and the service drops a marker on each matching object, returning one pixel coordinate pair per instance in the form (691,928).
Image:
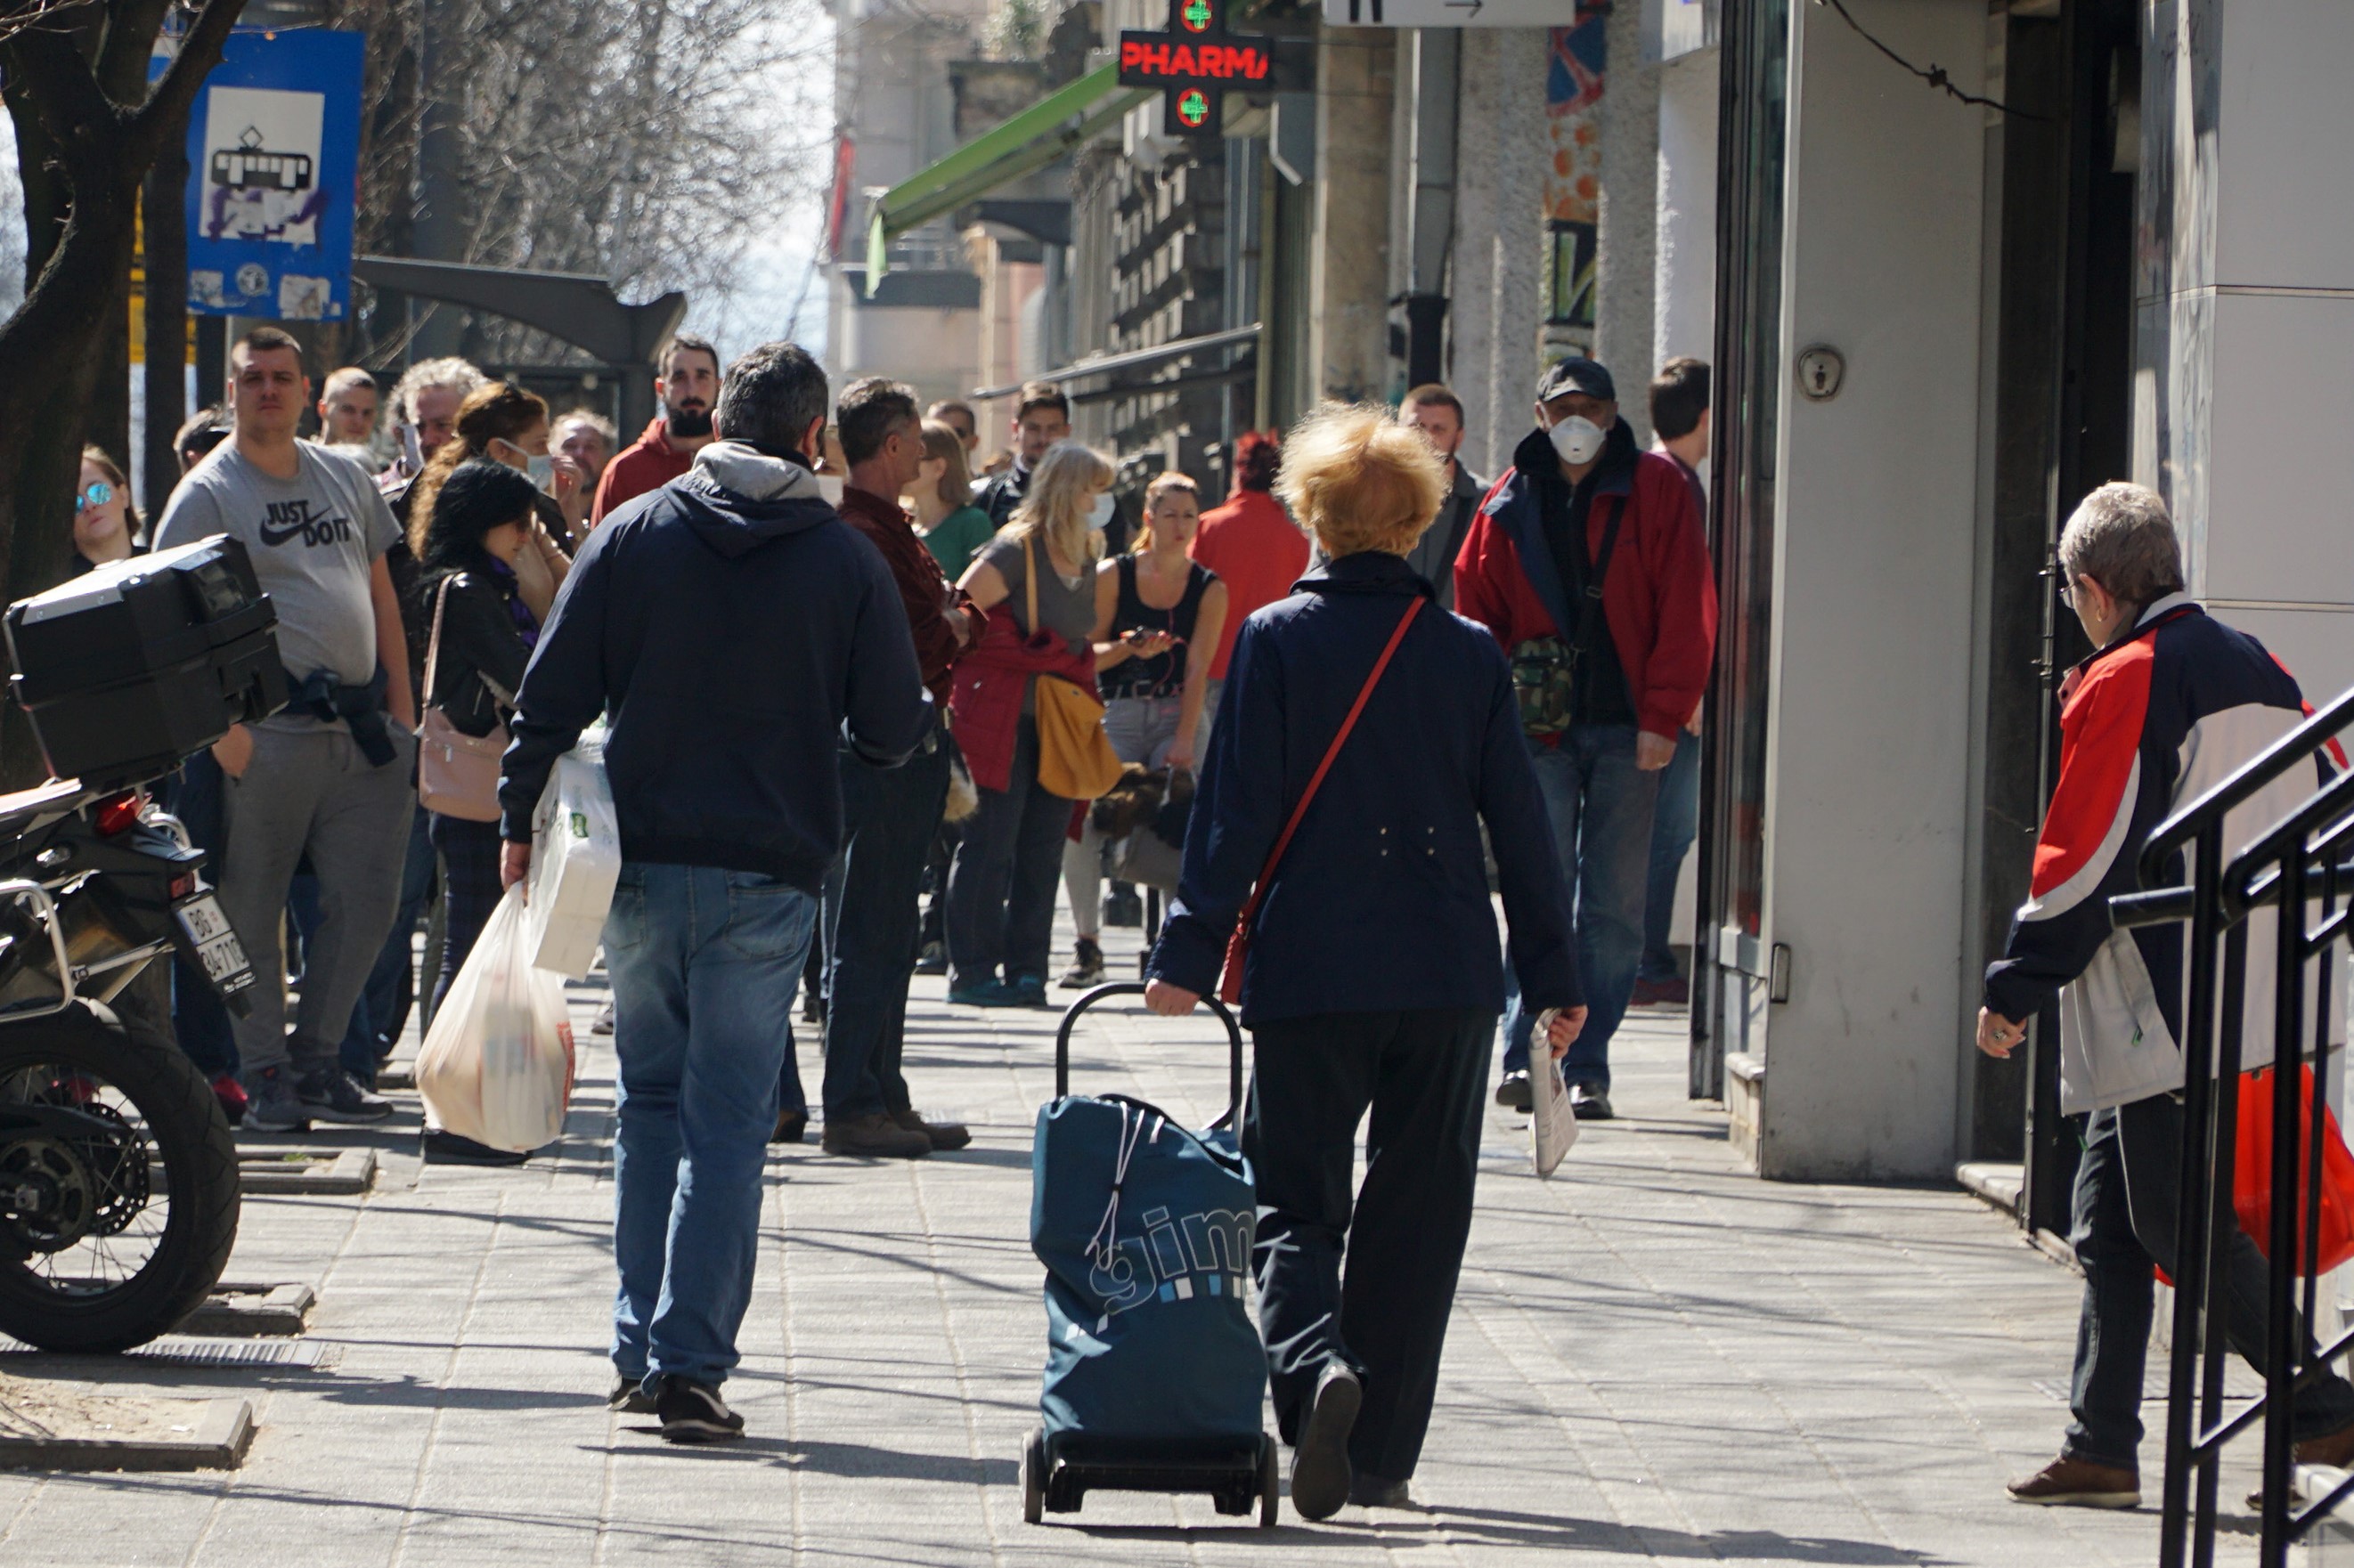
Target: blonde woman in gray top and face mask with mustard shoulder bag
(1002,886)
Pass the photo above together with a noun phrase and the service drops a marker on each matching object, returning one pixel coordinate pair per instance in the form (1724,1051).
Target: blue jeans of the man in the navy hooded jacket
(703,988)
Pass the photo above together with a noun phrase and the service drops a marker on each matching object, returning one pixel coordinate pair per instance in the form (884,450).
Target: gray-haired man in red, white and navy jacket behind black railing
(2169,705)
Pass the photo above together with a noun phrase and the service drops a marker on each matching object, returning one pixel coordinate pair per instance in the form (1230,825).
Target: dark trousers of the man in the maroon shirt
(889,818)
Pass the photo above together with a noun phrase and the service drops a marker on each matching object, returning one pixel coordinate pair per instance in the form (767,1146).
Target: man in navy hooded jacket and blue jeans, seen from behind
(736,632)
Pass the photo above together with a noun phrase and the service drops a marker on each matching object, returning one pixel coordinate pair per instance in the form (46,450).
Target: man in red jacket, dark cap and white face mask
(1590,569)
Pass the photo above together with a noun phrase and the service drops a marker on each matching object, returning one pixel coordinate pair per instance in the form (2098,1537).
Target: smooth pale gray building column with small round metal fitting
(1870,665)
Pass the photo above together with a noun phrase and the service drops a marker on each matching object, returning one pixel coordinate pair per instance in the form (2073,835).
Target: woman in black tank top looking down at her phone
(1157,623)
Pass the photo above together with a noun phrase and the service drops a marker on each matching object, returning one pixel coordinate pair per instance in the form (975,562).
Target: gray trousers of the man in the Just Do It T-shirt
(314,792)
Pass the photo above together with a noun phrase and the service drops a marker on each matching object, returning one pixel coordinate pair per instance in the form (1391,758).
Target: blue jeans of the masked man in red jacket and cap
(1600,804)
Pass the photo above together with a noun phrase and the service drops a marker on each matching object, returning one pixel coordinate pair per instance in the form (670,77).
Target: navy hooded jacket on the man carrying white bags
(731,639)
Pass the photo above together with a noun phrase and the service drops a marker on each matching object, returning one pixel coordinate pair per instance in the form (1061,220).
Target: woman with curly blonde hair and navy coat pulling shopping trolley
(1371,976)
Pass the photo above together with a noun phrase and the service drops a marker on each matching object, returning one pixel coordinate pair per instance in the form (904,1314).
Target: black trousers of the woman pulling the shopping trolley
(1388,1315)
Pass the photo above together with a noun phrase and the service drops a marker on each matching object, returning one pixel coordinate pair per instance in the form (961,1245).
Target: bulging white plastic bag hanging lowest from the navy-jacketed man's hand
(498,1063)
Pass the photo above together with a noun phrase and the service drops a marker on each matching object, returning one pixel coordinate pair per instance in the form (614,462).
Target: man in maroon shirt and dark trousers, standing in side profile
(889,813)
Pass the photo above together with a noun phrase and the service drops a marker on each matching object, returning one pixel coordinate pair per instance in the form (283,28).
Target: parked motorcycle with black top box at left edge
(119,1176)
